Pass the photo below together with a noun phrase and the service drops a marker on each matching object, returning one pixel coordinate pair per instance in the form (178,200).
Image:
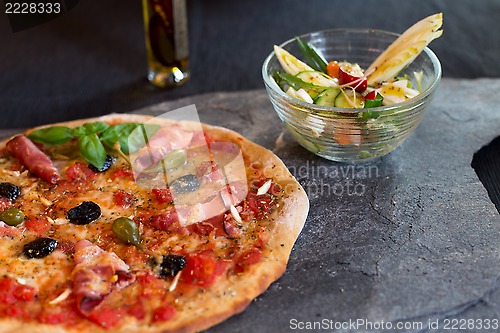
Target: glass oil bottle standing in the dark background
(165,23)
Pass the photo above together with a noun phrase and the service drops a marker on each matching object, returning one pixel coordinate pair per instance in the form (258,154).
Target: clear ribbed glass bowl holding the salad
(350,135)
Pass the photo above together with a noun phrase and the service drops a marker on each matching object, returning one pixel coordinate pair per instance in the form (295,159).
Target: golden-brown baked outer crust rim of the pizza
(228,296)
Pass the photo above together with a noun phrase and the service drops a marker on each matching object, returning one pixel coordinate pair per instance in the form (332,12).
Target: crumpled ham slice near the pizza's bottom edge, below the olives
(96,274)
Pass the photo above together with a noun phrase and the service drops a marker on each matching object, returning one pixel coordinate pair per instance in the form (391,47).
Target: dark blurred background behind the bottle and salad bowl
(91,61)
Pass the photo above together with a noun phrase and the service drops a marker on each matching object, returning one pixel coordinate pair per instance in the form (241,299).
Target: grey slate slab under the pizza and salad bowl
(409,238)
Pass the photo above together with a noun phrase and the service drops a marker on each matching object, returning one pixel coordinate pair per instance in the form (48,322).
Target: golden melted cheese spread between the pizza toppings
(52,276)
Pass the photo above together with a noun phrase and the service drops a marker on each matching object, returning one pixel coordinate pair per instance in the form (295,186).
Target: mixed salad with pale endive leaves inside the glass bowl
(346,85)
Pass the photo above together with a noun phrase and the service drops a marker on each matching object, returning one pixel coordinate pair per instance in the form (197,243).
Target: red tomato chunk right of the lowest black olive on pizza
(202,269)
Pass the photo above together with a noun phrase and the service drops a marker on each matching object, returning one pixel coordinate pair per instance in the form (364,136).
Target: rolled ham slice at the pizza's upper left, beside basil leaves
(33,159)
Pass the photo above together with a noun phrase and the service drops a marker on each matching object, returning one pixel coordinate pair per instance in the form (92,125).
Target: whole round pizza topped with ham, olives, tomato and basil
(129,223)
